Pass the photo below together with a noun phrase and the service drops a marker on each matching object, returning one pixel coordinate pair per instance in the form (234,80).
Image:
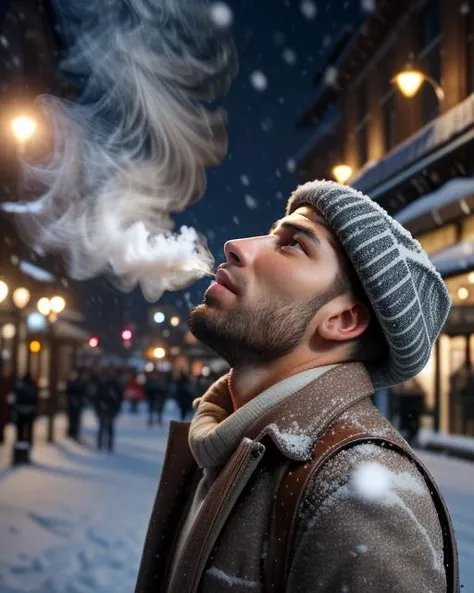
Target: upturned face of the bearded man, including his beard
(276,283)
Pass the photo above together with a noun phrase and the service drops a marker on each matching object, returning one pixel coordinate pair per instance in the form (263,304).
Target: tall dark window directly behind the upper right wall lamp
(429,28)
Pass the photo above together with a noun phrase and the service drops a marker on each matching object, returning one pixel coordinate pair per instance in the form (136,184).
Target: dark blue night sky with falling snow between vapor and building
(274,37)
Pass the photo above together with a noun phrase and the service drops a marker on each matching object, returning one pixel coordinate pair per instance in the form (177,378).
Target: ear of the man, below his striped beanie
(345,324)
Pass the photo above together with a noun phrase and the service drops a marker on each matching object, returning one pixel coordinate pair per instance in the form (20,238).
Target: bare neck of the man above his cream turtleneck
(247,382)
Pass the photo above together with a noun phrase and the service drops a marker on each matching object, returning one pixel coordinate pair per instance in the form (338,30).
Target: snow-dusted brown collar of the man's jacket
(296,424)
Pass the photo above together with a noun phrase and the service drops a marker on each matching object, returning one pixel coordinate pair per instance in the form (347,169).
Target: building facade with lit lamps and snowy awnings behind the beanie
(415,157)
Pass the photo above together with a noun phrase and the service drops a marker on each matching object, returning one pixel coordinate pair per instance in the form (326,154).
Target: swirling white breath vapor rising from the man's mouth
(134,149)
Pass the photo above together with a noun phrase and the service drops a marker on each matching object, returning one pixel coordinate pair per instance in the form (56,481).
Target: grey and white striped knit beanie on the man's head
(407,294)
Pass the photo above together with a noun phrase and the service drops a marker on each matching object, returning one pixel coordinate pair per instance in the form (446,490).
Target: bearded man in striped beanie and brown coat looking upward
(336,300)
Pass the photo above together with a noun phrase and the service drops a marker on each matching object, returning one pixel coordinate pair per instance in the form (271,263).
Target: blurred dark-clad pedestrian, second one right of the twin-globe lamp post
(107,403)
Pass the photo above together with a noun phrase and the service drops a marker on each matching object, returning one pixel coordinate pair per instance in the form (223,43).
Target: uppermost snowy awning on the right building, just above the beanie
(439,137)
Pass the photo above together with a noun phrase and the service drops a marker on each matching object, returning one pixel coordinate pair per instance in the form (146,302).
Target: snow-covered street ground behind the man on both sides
(75,521)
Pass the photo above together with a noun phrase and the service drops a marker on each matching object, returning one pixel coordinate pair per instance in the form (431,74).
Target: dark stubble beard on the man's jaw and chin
(255,335)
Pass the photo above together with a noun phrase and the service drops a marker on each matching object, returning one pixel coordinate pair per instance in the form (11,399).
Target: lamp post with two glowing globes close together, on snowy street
(51,308)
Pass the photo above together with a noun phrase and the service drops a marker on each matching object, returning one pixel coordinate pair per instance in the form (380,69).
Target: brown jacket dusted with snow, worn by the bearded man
(344,542)
